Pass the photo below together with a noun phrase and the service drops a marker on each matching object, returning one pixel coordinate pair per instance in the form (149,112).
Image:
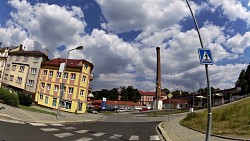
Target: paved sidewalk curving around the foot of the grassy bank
(173,131)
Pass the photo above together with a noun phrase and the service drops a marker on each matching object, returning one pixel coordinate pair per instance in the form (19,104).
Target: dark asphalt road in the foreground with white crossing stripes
(95,131)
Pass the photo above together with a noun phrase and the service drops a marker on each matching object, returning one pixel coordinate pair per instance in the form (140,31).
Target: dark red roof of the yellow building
(71,63)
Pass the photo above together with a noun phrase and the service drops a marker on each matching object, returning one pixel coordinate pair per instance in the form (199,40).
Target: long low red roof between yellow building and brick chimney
(117,102)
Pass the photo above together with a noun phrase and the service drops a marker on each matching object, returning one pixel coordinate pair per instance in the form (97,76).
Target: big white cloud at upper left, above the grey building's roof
(49,25)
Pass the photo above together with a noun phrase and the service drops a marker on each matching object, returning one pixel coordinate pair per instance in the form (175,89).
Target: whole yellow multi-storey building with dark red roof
(76,79)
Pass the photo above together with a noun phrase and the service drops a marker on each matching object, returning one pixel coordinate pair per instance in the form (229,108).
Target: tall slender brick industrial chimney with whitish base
(158,77)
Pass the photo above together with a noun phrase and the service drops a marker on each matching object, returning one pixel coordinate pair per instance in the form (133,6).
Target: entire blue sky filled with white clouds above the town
(120,37)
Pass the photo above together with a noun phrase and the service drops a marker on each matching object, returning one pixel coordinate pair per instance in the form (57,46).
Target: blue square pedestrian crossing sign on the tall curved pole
(205,56)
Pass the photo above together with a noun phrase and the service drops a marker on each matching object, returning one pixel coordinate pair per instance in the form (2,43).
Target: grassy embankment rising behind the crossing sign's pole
(230,120)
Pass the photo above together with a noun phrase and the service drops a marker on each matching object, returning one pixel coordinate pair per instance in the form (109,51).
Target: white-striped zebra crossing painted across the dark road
(61,131)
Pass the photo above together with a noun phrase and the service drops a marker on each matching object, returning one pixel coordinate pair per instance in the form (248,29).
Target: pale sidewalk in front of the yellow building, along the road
(20,115)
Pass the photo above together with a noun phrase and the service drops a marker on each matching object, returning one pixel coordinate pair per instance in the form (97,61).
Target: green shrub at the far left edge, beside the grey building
(8,98)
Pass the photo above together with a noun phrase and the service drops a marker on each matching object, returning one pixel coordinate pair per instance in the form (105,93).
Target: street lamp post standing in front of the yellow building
(62,84)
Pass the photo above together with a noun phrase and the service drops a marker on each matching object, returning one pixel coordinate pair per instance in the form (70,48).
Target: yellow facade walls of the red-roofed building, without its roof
(80,84)
